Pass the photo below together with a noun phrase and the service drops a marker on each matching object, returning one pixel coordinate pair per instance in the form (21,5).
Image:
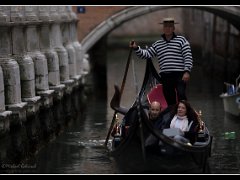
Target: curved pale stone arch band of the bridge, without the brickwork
(230,13)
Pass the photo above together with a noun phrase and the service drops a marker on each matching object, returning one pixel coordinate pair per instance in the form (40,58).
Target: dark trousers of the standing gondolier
(174,88)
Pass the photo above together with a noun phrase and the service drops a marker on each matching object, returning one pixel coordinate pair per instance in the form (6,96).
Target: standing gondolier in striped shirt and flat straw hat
(174,58)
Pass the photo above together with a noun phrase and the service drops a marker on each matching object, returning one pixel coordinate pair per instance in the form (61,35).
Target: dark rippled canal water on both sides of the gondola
(80,150)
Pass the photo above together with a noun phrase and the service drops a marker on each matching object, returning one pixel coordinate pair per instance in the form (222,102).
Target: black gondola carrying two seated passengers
(128,147)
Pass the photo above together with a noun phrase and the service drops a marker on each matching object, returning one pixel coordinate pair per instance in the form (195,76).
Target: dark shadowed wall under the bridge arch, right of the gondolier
(218,42)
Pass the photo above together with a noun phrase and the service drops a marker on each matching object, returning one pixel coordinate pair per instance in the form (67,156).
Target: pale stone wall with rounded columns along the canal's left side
(40,60)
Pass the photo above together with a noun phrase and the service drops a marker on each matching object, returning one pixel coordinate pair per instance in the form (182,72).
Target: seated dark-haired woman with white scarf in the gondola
(183,117)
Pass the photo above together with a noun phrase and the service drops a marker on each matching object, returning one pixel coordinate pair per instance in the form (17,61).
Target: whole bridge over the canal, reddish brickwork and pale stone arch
(99,21)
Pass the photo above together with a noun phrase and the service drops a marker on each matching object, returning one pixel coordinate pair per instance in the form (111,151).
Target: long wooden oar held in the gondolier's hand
(121,91)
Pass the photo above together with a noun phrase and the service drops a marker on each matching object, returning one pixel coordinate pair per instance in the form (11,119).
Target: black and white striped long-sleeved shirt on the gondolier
(173,55)
